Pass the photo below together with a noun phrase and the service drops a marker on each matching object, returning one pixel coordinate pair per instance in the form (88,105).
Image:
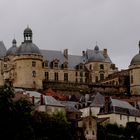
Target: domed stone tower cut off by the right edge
(134,72)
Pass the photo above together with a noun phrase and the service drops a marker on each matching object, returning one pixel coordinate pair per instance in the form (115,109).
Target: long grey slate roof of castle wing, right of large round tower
(73,60)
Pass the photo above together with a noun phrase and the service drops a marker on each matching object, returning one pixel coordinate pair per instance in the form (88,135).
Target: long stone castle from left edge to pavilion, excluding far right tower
(27,66)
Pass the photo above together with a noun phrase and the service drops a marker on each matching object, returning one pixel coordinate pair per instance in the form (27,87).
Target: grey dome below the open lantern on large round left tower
(28,48)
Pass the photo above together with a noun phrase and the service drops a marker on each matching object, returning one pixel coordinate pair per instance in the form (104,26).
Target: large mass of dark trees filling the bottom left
(19,121)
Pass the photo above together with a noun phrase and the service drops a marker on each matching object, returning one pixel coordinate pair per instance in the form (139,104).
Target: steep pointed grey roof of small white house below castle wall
(98,101)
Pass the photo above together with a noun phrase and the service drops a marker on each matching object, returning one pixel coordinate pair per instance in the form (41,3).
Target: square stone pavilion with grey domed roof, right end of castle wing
(98,64)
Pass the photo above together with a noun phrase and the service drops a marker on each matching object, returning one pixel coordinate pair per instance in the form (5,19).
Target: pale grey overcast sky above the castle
(75,25)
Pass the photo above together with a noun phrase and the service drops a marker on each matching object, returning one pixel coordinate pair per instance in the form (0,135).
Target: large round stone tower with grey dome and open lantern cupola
(28,63)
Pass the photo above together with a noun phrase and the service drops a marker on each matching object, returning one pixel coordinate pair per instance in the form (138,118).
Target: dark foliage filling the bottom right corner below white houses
(115,132)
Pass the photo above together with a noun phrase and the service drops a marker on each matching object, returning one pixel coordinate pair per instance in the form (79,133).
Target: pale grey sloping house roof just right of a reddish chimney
(49,100)
